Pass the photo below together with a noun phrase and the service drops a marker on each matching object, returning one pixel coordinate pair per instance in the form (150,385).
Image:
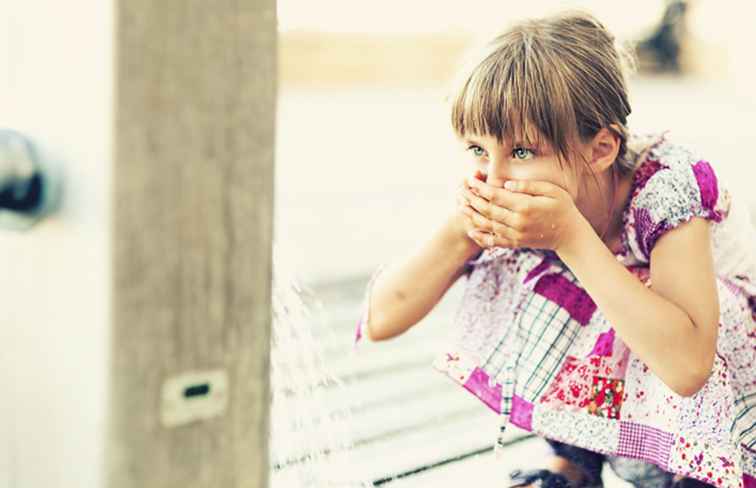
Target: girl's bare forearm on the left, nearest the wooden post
(404,293)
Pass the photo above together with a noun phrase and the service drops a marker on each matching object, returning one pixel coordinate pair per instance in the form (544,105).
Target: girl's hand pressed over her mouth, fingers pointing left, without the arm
(534,214)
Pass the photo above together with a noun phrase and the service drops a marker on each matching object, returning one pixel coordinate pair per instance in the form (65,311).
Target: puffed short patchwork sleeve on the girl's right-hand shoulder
(681,188)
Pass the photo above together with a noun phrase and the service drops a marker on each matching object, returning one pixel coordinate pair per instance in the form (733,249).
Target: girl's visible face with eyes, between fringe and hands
(511,160)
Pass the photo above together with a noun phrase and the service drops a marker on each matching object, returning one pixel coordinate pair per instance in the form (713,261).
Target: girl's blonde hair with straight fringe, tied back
(563,75)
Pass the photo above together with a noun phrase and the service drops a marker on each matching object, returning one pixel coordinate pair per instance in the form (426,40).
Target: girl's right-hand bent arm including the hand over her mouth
(672,326)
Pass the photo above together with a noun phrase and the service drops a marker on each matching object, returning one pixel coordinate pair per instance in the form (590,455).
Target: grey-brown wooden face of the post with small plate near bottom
(192,227)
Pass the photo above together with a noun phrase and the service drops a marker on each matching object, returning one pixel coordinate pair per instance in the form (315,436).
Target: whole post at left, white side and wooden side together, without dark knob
(136,321)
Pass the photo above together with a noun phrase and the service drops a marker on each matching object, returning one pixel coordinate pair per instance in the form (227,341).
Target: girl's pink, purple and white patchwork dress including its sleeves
(531,344)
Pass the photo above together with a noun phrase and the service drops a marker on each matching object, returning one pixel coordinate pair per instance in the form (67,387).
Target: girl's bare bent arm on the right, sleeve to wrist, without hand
(673,325)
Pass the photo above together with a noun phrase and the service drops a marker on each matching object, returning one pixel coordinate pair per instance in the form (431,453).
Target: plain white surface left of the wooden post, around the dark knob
(55,86)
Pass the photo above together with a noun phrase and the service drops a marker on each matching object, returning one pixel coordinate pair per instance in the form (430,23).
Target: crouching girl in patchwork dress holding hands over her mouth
(610,304)
